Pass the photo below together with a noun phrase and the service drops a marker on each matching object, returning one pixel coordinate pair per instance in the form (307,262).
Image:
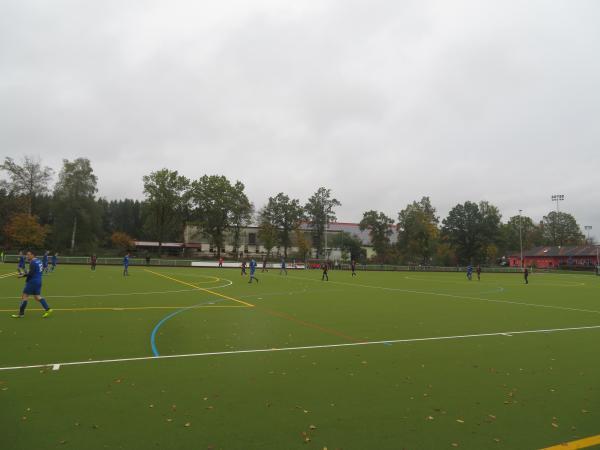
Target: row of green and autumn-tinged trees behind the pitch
(69,216)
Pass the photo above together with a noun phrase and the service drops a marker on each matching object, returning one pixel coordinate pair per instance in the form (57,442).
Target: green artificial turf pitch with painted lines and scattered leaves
(499,390)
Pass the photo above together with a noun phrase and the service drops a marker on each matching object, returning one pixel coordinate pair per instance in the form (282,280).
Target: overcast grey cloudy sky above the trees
(382,101)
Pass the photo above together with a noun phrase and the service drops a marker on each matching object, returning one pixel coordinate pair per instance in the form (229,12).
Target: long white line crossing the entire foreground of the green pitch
(308,347)
